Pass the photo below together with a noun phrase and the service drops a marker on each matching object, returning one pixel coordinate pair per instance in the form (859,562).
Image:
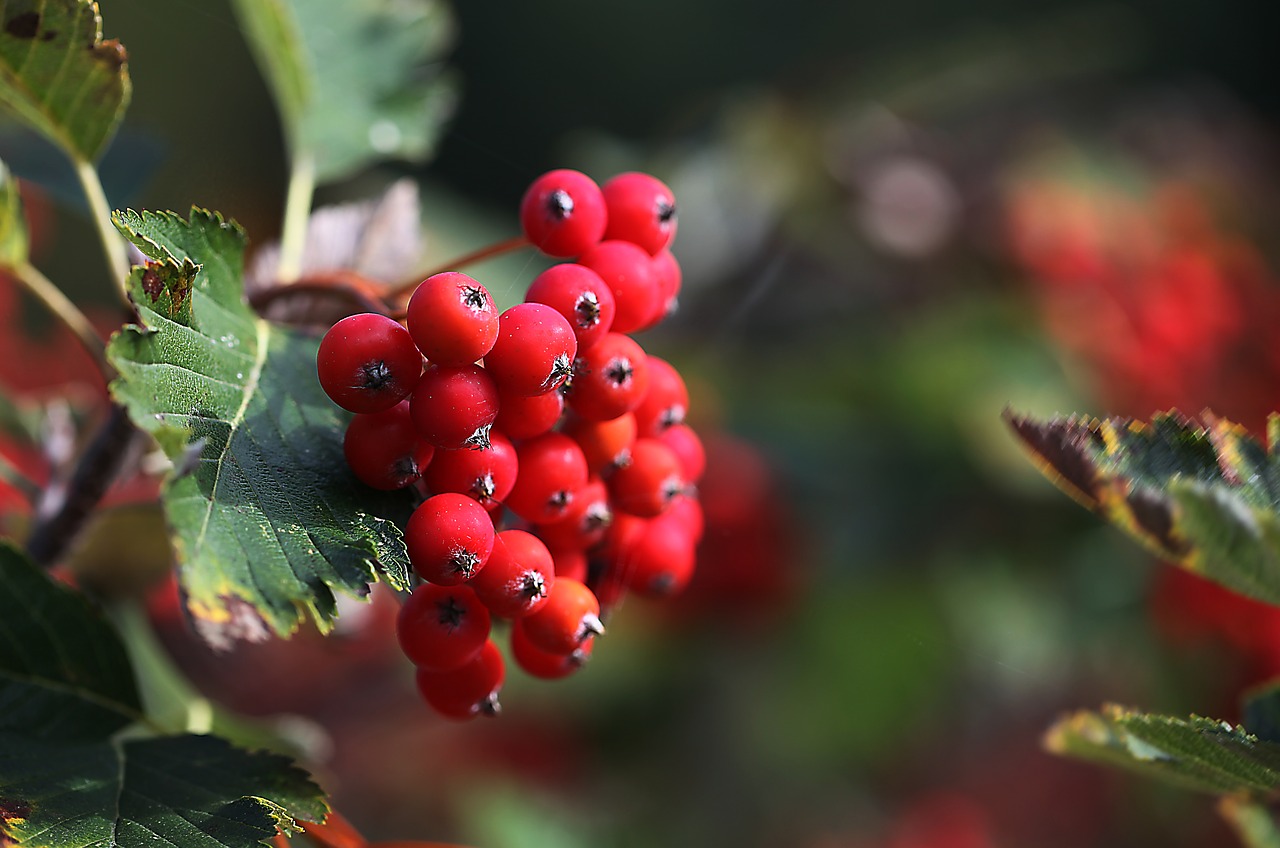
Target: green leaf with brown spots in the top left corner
(60,76)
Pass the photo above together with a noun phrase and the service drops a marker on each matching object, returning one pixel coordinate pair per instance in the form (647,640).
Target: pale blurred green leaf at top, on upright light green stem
(356,81)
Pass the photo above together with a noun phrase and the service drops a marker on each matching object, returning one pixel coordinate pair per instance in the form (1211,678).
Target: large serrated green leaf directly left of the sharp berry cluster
(266,517)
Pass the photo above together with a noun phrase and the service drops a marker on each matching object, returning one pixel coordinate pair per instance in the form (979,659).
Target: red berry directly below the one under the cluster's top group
(610,380)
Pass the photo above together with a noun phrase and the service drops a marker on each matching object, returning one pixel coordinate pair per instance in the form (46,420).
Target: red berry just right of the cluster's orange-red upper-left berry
(534,353)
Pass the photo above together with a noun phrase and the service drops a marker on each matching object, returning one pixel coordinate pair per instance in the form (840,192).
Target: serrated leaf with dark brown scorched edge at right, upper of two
(1204,498)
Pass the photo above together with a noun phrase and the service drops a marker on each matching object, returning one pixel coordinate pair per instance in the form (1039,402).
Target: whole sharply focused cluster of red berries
(551,452)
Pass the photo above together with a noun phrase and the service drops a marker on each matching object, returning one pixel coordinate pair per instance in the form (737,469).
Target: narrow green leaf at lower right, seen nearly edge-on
(1194,754)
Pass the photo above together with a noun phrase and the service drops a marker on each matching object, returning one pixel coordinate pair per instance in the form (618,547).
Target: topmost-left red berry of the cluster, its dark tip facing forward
(564,213)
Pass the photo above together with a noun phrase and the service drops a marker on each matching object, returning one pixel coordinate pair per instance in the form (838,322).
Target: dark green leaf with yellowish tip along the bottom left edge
(189,791)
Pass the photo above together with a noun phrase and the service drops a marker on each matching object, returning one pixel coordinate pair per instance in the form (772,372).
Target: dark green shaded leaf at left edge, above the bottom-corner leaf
(65,673)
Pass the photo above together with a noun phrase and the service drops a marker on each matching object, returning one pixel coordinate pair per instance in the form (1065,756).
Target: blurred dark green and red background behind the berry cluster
(897,221)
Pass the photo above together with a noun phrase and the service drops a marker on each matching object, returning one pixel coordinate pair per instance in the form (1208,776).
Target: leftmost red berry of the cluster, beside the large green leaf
(368,363)
